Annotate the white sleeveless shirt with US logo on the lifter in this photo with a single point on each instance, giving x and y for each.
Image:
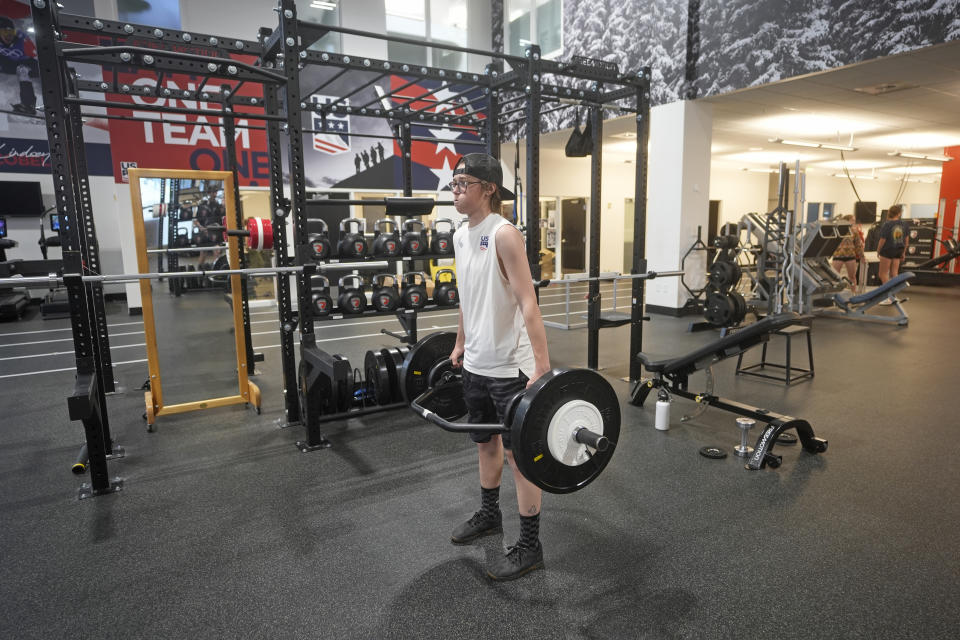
(496, 339)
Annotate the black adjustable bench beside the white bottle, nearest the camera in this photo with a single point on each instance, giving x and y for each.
(673, 376)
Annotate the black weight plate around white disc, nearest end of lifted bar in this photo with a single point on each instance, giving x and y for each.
(531, 422)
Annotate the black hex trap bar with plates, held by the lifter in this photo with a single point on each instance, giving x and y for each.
(564, 427)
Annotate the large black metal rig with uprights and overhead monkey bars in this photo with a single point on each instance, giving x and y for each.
(281, 53)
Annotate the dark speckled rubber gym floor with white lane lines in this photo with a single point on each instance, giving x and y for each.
(224, 529)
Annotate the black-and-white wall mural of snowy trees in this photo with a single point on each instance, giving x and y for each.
(746, 43)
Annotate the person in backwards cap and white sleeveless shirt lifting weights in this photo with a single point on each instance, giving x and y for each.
(502, 347)
